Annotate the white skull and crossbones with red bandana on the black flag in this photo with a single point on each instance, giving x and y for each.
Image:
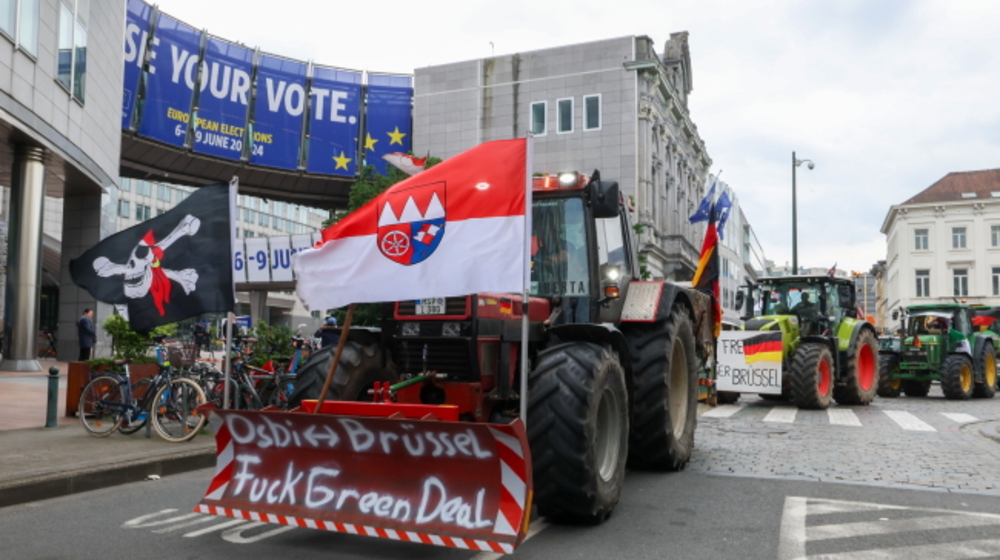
(144, 274)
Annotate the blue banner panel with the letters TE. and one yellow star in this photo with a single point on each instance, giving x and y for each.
(335, 123)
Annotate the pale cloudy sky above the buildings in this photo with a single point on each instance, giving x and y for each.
(886, 97)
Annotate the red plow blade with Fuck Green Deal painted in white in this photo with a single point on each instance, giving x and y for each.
(456, 484)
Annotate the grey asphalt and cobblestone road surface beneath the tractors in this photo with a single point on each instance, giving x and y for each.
(906, 478)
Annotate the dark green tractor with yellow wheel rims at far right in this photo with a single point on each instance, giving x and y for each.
(939, 342)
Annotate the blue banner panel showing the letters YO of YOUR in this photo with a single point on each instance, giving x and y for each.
(170, 81)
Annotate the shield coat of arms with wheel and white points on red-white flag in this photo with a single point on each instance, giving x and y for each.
(411, 223)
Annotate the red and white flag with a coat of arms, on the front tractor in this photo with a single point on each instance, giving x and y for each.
(457, 228)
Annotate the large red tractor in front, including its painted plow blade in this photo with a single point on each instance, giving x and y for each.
(614, 365)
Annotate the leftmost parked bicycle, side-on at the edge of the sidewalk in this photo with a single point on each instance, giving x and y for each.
(111, 402)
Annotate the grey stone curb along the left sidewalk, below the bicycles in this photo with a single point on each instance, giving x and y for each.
(59, 485)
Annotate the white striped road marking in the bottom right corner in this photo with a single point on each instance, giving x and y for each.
(843, 530)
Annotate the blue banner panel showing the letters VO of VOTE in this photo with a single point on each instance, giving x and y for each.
(280, 104)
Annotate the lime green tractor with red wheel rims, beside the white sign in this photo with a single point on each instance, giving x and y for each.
(827, 353)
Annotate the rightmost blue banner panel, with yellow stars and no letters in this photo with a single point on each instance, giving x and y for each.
(387, 118)
